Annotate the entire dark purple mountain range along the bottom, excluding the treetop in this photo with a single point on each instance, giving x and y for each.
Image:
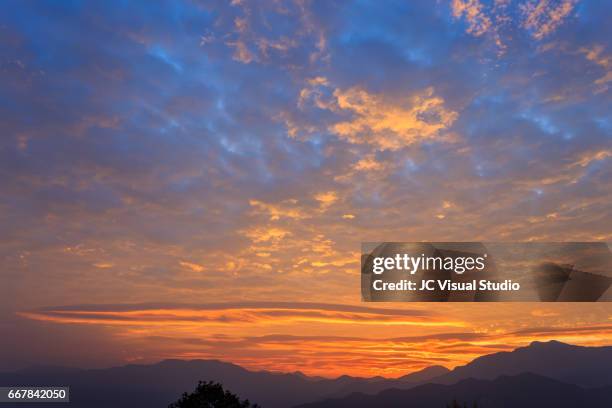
(542, 374)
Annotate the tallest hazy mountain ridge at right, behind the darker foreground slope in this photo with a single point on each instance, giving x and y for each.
(584, 366)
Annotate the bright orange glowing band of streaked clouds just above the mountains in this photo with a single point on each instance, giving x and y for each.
(327, 339)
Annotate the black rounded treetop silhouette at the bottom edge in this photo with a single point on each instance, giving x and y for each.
(211, 395)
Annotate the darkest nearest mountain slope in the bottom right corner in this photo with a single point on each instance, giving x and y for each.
(524, 391)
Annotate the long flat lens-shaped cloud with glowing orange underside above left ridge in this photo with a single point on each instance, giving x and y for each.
(248, 313)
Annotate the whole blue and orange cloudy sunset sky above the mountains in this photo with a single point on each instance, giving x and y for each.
(193, 179)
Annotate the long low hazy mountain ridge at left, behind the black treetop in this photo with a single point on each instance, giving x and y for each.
(159, 384)
